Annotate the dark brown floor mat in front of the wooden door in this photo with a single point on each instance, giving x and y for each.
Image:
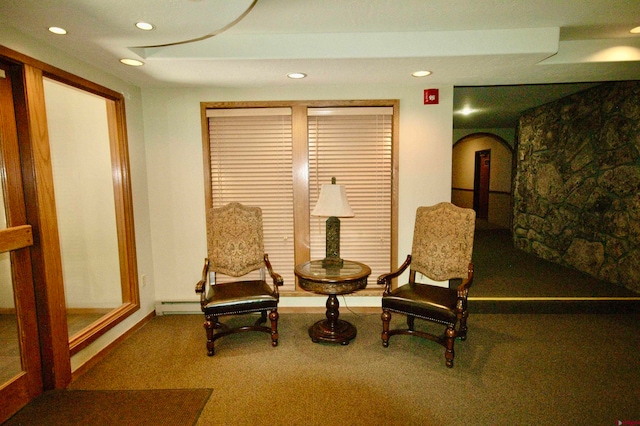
(170, 407)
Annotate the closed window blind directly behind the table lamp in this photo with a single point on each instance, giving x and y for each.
(354, 144)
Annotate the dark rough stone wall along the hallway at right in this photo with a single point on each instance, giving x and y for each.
(577, 182)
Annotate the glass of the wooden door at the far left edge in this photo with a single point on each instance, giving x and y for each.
(10, 362)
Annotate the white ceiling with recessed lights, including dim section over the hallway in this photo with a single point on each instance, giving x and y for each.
(500, 55)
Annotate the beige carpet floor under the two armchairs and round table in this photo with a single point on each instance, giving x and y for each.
(512, 370)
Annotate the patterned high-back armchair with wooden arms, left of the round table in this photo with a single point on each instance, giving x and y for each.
(235, 249)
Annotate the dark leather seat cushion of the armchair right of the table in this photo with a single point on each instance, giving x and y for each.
(426, 301)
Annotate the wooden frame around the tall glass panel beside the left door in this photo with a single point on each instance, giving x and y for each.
(37, 174)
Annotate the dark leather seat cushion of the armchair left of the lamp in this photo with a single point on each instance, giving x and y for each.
(240, 296)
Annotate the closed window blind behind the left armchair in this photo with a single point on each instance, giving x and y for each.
(251, 163)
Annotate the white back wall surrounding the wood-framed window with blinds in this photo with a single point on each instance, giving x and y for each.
(176, 178)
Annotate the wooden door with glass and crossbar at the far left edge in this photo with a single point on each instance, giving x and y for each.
(21, 376)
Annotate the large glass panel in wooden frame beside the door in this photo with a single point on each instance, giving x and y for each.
(85, 204)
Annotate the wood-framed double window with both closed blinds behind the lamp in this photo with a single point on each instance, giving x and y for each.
(278, 155)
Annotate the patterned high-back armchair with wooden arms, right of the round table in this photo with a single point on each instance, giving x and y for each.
(442, 249)
